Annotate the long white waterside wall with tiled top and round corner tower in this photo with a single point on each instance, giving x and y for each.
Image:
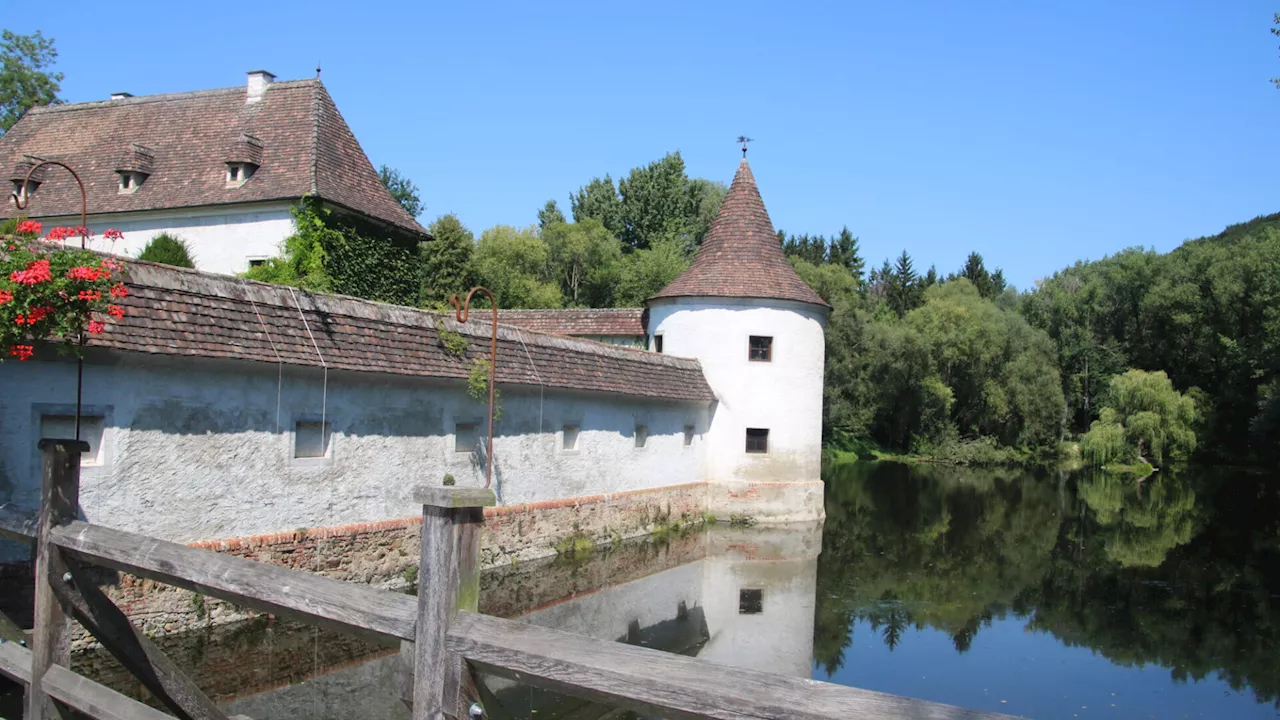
(220, 408)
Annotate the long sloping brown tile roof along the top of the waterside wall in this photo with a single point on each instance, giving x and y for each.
(189, 313)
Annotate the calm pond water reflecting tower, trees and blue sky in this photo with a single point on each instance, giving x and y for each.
(1043, 596)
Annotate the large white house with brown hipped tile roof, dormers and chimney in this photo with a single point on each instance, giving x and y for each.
(217, 168)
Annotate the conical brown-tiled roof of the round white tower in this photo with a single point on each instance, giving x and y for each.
(740, 256)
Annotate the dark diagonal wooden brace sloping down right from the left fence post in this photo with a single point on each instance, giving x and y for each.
(138, 654)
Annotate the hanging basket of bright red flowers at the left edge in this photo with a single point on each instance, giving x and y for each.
(54, 294)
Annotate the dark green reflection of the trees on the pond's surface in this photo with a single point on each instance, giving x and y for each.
(1182, 571)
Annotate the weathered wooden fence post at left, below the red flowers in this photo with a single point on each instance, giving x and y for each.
(60, 503)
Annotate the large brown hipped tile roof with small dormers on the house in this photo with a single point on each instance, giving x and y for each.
(295, 133)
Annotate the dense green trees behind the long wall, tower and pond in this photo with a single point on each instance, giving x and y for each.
(1142, 357)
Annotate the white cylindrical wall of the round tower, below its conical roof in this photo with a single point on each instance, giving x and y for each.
(784, 395)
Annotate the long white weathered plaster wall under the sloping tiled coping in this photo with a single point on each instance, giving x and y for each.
(194, 450)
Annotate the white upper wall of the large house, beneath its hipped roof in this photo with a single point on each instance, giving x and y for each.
(223, 240)
